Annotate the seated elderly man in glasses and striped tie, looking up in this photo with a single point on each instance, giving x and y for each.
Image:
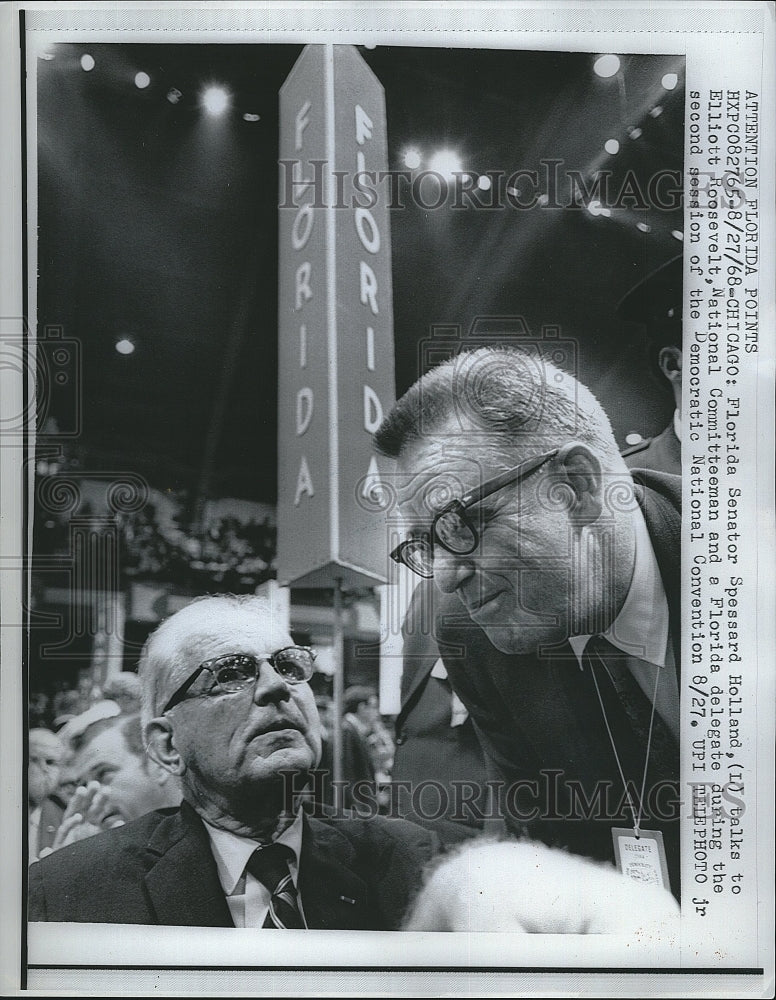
(228, 710)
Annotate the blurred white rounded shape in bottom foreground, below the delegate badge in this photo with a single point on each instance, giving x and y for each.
(526, 887)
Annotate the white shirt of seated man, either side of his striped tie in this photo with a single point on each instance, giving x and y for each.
(247, 898)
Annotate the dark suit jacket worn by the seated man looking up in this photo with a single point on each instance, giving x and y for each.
(159, 869)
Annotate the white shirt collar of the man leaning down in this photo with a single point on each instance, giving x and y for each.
(641, 628)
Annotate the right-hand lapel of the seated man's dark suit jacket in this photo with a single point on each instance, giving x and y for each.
(333, 897)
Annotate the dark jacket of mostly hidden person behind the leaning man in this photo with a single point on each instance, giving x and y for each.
(428, 748)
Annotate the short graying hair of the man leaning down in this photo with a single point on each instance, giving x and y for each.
(514, 395)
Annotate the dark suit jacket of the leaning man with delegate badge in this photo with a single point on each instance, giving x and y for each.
(538, 718)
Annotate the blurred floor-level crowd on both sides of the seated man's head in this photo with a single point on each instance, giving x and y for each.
(88, 769)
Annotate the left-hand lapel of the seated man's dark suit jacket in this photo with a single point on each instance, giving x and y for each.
(183, 885)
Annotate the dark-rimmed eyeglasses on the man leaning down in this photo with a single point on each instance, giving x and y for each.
(452, 528)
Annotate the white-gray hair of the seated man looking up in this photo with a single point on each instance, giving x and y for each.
(176, 640)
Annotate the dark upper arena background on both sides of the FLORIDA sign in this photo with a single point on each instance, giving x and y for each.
(159, 223)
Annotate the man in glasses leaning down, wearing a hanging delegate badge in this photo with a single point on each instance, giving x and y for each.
(555, 569)
